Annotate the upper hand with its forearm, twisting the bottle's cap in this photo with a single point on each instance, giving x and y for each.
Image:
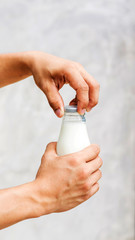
(50, 74)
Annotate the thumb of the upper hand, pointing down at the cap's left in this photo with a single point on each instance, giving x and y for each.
(54, 98)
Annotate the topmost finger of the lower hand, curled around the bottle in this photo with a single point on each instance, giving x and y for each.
(87, 154)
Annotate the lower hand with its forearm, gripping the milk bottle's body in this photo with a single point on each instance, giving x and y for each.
(76, 180)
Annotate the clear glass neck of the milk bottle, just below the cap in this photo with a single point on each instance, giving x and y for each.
(74, 117)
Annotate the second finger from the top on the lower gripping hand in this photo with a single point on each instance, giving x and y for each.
(94, 165)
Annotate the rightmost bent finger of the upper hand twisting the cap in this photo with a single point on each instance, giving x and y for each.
(93, 90)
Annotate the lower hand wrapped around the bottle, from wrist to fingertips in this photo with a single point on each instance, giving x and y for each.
(63, 182)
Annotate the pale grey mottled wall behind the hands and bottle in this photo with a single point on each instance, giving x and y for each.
(99, 34)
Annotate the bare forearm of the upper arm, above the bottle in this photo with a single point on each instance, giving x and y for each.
(13, 68)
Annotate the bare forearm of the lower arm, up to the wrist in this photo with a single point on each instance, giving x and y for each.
(17, 204)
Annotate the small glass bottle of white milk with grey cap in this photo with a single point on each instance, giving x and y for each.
(73, 134)
